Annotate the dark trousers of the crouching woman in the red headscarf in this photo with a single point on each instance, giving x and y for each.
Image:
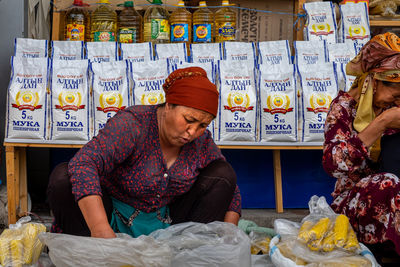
(207, 200)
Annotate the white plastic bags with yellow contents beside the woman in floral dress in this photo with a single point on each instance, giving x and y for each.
(323, 239)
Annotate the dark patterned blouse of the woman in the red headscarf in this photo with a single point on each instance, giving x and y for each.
(125, 158)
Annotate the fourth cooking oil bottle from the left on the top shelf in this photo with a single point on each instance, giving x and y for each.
(156, 25)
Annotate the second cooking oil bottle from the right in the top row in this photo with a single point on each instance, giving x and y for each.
(203, 24)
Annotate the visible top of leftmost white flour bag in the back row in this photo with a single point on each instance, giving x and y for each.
(31, 48)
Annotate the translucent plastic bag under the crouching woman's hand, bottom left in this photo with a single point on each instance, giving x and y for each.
(69, 250)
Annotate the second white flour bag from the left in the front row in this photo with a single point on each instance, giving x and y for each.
(69, 112)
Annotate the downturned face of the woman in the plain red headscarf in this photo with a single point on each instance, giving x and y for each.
(184, 124)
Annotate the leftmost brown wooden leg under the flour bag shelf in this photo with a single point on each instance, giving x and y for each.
(10, 166)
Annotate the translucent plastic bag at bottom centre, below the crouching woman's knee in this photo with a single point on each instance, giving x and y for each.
(213, 244)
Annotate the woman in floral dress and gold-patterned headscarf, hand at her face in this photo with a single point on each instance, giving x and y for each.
(354, 126)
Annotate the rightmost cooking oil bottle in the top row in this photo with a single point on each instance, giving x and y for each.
(225, 23)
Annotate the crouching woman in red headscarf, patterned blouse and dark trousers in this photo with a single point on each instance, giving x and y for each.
(149, 167)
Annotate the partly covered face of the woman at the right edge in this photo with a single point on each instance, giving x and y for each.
(386, 94)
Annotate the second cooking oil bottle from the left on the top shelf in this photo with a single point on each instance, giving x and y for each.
(104, 23)
